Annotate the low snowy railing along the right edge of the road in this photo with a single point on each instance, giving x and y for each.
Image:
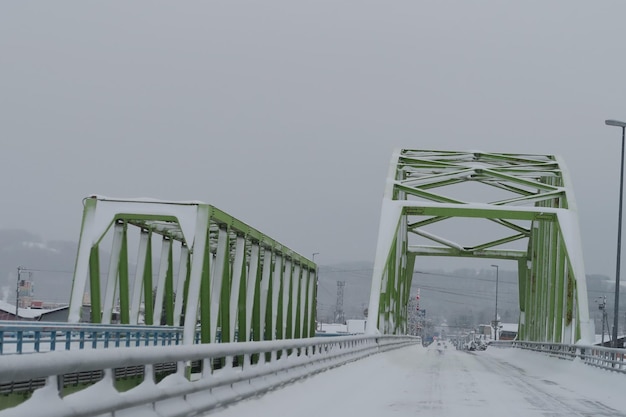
(602, 357)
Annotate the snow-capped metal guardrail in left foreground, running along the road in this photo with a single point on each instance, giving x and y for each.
(245, 369)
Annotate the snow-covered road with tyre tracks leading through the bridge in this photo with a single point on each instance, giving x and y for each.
(419, 381)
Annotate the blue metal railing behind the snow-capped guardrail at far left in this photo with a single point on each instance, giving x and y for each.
(28, 337)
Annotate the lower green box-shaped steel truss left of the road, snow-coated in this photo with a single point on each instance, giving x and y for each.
(234, 281)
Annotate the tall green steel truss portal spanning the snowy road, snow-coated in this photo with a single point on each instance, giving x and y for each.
(530, 217)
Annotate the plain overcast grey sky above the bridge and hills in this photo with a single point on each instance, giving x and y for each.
(285, 113)
